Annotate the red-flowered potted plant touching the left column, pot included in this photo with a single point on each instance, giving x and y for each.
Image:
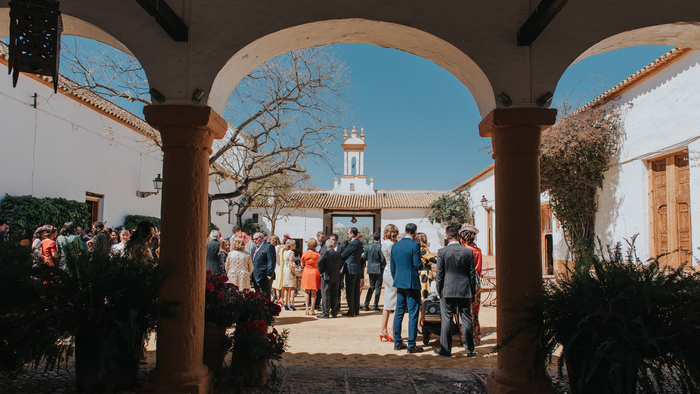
(220, 313)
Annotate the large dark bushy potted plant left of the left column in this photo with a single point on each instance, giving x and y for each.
(97, 307)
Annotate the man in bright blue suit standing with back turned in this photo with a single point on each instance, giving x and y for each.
(405, 262)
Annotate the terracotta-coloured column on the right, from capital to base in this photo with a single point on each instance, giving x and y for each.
(515, 135)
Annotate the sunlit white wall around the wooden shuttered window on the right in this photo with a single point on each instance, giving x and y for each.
(663, 118)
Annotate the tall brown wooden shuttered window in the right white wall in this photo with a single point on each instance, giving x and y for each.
(669, 209)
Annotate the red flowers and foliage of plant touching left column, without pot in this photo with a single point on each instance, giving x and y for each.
(220, 301)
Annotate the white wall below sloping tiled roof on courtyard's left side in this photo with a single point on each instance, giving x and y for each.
(64, 148)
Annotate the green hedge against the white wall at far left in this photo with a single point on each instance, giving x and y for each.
(28, 212)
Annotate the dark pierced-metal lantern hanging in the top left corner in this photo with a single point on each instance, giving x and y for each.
(35, 38)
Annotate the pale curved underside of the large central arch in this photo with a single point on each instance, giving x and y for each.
(358, 31)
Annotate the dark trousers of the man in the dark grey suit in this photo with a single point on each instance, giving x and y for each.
(448, 308)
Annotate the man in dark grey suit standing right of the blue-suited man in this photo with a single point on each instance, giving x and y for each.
(456, 284)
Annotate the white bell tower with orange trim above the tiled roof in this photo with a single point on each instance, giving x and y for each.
(354, 180)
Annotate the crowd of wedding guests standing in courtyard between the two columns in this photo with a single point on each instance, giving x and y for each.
(399, 264)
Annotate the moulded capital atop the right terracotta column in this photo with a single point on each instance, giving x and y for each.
(507, 117)
